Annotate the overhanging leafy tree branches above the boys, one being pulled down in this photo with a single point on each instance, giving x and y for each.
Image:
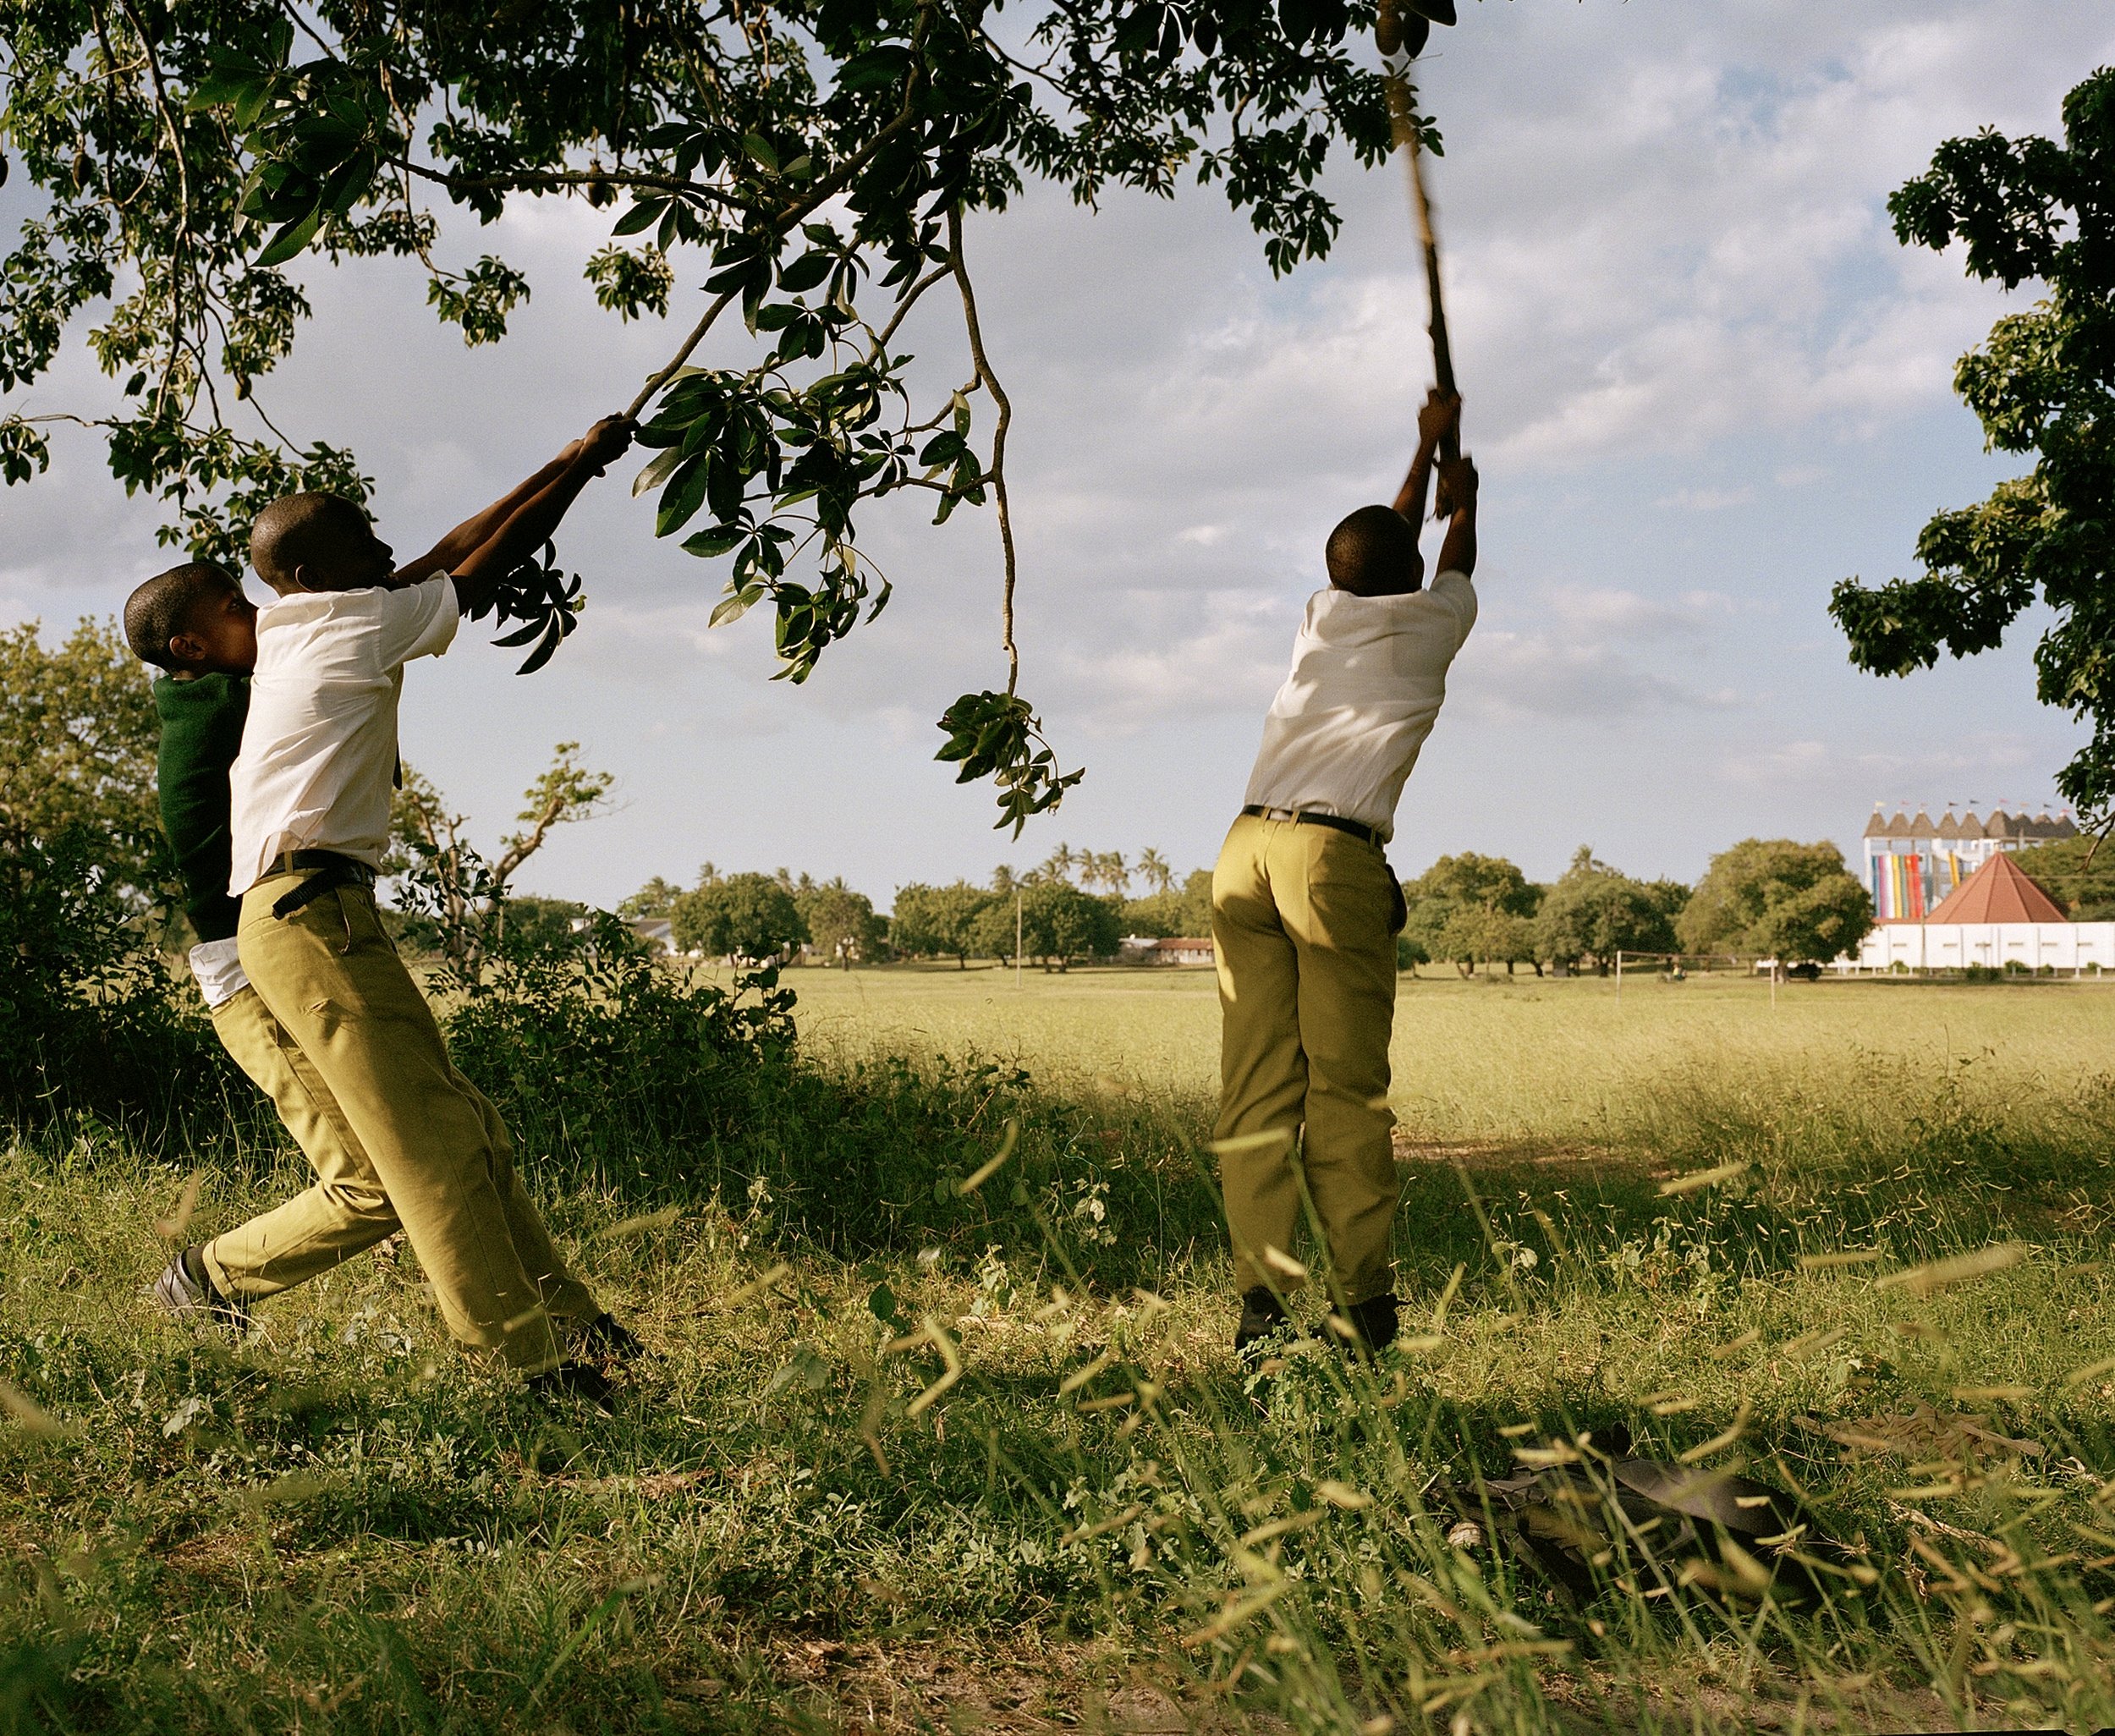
(811, 160)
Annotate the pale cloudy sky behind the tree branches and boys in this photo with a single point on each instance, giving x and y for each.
(1702, 382)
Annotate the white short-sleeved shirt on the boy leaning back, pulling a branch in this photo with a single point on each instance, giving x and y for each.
(320, 745)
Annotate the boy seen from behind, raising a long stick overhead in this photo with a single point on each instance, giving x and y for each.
(1306, 910)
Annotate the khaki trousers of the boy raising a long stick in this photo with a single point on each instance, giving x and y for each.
(1304, 929)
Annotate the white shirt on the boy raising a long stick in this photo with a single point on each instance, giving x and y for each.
(1367, 682)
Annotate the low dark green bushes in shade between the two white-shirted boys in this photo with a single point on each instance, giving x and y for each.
(627, 1077)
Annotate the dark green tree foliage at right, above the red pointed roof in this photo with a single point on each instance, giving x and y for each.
(2044, 384)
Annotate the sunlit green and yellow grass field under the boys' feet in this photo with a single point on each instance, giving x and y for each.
(798, 1519)
